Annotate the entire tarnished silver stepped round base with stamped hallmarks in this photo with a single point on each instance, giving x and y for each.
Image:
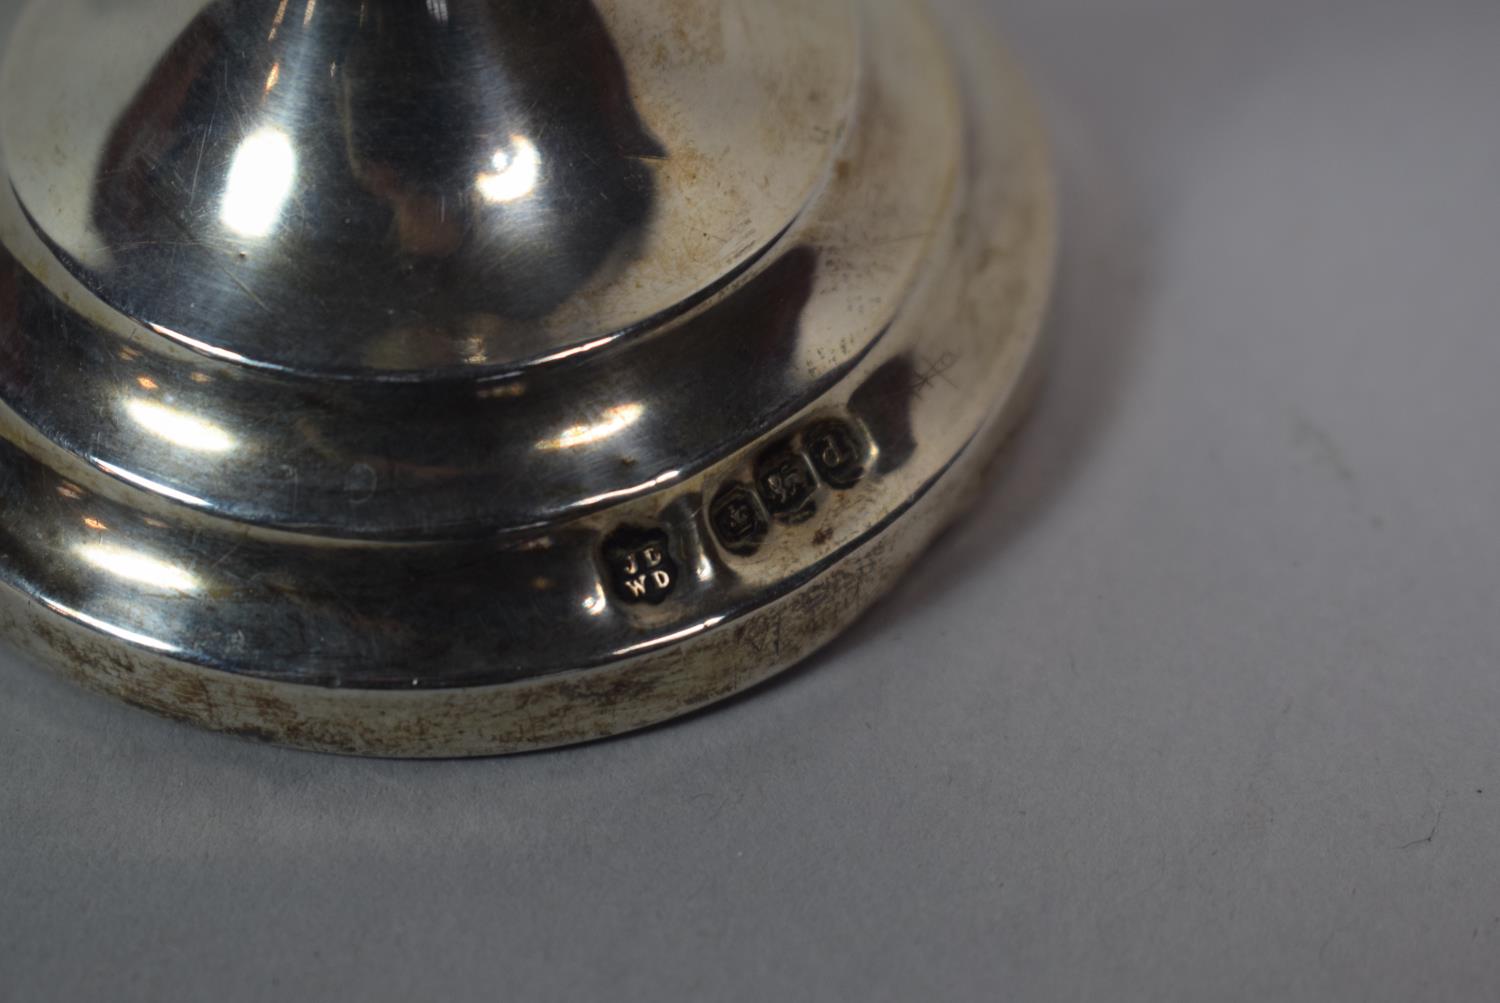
(476, 376)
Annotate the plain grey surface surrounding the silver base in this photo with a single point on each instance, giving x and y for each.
(1202, 704)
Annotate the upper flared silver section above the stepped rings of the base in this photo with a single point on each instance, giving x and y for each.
(406, 188)
